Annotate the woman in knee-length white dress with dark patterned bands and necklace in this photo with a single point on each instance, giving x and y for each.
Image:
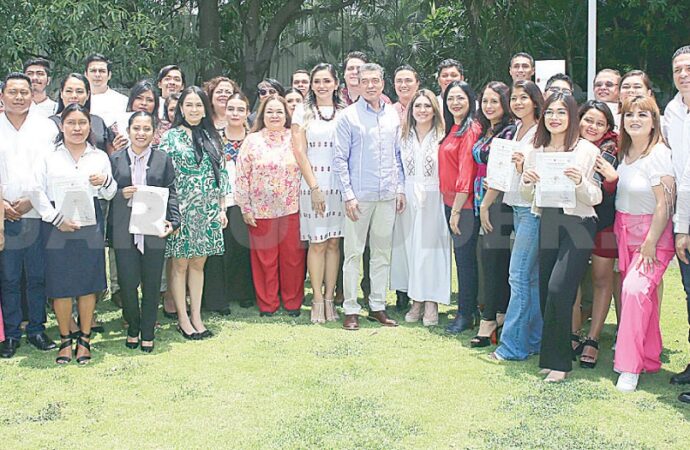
(321, 206)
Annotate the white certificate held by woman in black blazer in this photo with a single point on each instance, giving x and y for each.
(149, 208)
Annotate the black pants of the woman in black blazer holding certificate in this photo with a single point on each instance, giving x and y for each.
(133, 269)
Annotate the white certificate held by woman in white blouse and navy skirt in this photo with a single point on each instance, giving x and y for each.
(74, 199)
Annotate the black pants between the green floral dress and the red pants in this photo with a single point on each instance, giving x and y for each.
(229, 276)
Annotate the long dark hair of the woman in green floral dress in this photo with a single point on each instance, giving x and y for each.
(205, 138)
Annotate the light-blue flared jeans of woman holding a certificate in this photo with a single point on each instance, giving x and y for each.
(522, 329)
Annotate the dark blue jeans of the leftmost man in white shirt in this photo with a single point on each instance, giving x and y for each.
(23, 249)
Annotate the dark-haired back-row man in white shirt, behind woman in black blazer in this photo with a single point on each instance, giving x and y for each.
(105, 102)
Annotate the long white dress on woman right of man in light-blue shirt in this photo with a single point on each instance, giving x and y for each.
(421, 258)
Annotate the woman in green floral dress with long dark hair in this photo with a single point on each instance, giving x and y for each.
(202, 184)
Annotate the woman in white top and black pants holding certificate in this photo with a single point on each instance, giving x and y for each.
(559, 178)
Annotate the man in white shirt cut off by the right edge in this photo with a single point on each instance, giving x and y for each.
(676, 128)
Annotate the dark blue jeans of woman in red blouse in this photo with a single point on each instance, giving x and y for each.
(466, 264)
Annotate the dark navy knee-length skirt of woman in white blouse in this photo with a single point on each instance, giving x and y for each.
(75, 262)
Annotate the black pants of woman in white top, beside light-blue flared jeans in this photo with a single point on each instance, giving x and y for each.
(565, 244)
